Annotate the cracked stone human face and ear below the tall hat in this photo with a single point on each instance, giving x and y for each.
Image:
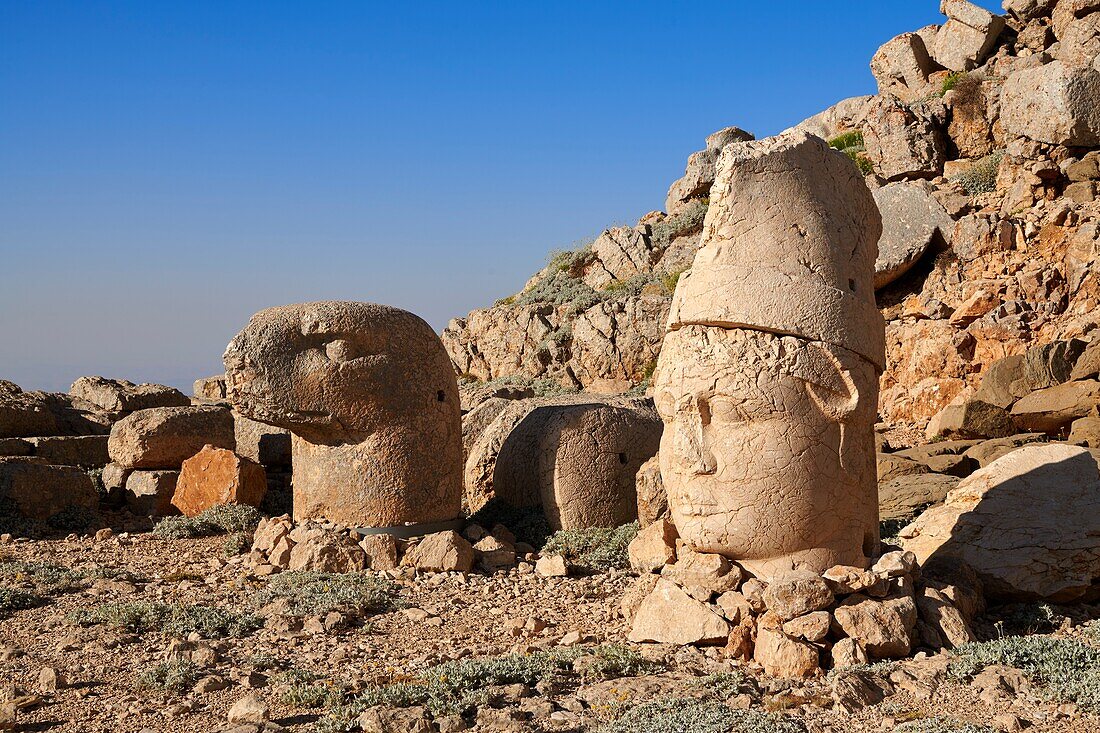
(768, 452)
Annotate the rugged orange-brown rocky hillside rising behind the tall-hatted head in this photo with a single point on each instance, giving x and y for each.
(982, 148)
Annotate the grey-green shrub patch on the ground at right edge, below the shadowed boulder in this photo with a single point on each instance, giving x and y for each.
(1066, 670)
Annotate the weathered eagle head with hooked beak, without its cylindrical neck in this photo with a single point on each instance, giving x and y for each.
(336, 373)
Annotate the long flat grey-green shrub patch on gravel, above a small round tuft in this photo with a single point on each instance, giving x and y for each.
(178, 620)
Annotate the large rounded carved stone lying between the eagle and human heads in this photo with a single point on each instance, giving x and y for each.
(577, 457)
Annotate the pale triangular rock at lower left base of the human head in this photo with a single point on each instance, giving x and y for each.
(669, 616)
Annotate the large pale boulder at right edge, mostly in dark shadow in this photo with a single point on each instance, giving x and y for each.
(1029, 524)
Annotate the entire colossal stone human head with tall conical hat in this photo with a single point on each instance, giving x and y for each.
(768, 376)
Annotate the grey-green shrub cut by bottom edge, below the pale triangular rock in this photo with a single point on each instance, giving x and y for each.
(691, 716)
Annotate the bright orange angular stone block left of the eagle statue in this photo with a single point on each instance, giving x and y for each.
(216, 476)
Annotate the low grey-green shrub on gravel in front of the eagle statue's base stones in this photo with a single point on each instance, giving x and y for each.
(314, 594)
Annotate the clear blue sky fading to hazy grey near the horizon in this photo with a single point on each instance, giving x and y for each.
(168, 169)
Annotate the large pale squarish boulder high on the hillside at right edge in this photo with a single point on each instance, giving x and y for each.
(1053, 104)
